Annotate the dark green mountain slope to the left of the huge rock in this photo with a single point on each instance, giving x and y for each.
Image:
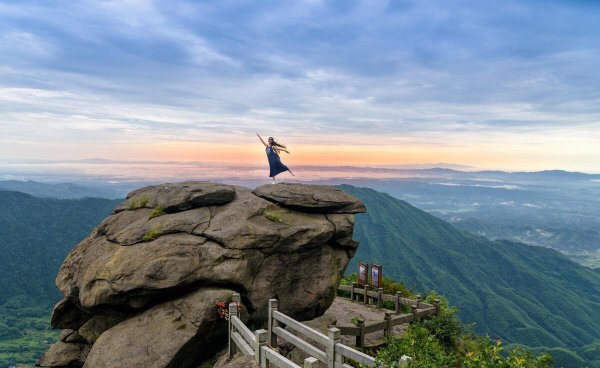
(45, 226)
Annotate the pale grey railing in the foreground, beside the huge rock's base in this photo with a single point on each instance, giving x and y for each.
(261, 344)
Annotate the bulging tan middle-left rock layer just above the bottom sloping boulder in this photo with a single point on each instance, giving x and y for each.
(133, 276)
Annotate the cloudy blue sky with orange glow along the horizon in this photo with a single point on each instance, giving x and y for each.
(507, 85)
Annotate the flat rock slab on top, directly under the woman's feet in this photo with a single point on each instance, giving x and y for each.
(310, 198)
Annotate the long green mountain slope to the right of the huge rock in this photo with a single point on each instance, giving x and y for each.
(521, 294)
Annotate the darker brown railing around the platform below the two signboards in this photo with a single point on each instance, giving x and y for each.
(419, 309)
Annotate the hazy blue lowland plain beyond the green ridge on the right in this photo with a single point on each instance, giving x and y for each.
(554, 209)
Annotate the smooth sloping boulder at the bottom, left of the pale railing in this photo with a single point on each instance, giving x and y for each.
(176, 333)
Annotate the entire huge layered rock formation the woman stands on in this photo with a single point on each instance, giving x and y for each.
(140, 290)
